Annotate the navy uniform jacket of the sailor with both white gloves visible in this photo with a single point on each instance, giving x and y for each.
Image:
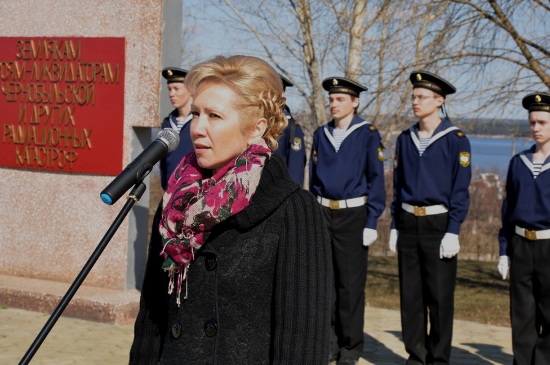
(440, 176)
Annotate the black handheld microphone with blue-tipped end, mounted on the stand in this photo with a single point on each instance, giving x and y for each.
(167, 140)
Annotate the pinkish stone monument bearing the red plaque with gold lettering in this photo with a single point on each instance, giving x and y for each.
(80, 92)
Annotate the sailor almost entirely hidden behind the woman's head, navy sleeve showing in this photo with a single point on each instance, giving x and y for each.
(291, 143)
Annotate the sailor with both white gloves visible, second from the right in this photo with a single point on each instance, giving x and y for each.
(431, 177)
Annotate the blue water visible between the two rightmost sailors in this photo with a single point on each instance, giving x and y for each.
(494, 154)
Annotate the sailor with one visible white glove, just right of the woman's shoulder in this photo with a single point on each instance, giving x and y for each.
(347, 176)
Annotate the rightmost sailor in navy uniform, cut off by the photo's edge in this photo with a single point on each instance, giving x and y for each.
(525, 239)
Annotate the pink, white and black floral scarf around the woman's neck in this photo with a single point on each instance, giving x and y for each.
(195, 202)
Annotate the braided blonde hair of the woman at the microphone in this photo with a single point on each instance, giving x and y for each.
(257, 85)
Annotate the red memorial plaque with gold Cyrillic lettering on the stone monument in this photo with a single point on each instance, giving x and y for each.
(62, 104)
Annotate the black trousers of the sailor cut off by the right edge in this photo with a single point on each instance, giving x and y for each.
(530, 300)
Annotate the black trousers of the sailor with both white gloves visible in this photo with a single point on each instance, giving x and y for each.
(426, 286)
